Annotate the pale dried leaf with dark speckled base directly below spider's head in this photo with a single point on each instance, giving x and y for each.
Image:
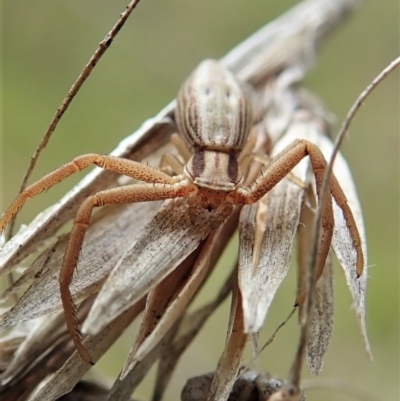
(144, 265)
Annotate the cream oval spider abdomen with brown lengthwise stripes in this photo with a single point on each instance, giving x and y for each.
(213, 110)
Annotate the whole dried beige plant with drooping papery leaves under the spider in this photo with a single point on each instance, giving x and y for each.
(152, 258)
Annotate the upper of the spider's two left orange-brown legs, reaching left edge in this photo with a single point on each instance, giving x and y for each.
(118, 165)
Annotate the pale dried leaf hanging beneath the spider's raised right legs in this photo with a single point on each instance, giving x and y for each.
(274, 220)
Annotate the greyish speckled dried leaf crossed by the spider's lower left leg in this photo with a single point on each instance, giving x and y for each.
(100, 253)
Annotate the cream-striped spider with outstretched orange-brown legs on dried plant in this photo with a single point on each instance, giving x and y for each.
(213, 115)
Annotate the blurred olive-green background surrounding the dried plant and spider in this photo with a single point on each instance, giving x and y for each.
(45, 46)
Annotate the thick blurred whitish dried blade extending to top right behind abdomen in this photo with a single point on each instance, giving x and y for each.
(289, 39)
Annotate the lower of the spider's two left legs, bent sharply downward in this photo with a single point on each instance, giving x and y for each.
(127, 194)
